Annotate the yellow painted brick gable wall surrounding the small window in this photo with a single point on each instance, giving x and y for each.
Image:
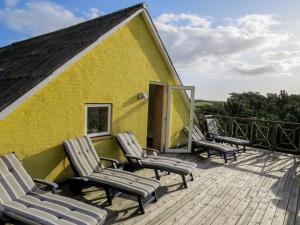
(113, 72)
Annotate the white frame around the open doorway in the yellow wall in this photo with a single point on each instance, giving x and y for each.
(162, 138)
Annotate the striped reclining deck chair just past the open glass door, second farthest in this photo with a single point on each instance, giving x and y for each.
(199, 141)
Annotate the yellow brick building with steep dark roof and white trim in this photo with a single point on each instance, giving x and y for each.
(100, 77)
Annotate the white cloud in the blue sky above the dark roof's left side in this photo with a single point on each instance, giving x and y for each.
(38, 17)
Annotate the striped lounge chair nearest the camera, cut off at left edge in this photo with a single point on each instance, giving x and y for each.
(24, 203)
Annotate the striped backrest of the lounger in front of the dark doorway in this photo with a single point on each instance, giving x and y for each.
(129, 144)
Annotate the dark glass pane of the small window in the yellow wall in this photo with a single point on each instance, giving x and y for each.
(97, 120)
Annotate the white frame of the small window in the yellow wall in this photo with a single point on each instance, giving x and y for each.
(98, 105)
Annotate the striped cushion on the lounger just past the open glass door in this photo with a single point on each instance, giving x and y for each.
(199, 140)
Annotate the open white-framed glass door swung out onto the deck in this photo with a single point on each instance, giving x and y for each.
(185, 143)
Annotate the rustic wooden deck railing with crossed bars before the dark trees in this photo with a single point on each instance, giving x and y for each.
(267, 134)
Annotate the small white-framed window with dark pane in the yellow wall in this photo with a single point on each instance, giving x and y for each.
(98, 119)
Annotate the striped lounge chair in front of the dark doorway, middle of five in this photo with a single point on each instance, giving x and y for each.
(136, 156)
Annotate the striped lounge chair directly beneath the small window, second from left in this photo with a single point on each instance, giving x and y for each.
(88, 168)
